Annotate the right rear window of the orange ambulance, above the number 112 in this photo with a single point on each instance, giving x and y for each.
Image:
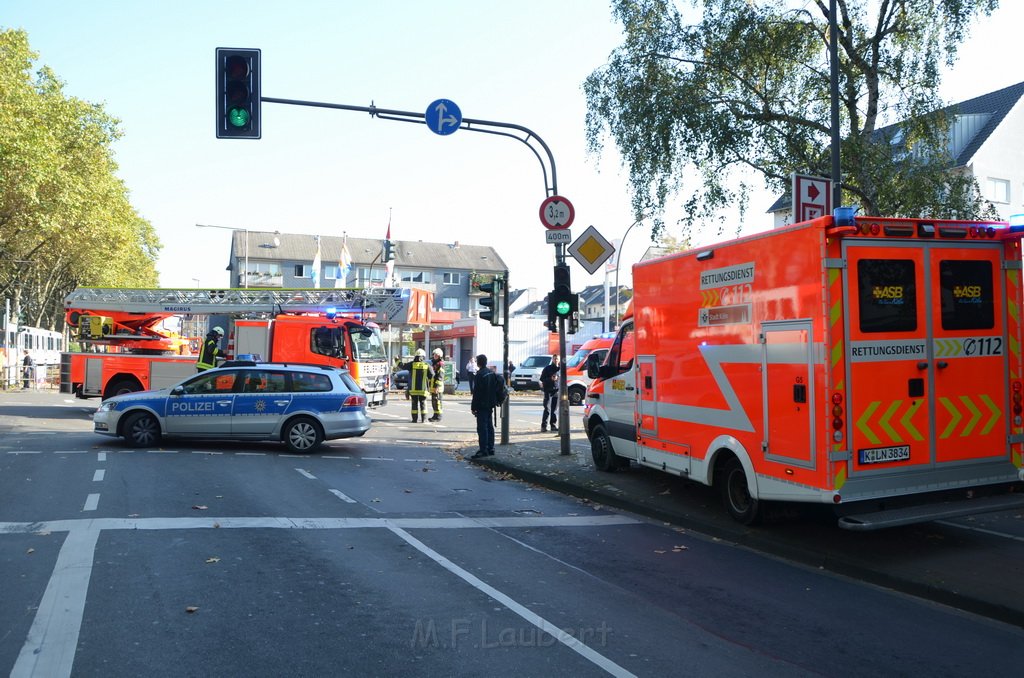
(967, 295)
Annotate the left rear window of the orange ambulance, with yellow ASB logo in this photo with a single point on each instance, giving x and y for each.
(888, 295)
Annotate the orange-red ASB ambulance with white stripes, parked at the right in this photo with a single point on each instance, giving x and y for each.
(869, 364)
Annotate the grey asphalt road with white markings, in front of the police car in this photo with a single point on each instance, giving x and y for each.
(393, 556)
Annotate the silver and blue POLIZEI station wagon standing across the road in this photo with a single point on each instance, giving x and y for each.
(300, 405)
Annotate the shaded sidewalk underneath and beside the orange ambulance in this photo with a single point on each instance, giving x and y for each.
(938, 563)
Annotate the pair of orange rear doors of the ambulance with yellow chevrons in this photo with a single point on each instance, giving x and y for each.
(927, 349)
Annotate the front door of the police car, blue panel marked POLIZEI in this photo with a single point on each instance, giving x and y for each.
(204, 407)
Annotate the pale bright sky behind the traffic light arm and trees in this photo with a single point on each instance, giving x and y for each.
(330, 173)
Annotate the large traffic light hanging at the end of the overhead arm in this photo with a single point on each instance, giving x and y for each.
(238, 94)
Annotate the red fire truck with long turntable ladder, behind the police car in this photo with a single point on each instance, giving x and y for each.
(130, 347)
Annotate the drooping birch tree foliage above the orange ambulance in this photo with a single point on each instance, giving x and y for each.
(746, 87)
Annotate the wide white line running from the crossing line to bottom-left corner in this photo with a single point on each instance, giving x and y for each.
(50, 648)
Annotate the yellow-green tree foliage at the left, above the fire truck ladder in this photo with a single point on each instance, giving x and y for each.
(65, 217)
